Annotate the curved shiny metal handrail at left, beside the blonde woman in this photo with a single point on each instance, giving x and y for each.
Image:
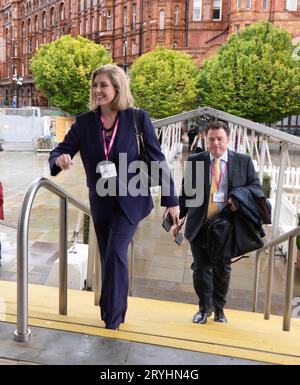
(22, 333)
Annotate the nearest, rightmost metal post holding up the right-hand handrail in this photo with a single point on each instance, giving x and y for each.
(289, 285)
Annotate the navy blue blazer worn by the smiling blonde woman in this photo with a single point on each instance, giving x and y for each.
(85, 136)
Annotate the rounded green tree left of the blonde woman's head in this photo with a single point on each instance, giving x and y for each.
(62, 71)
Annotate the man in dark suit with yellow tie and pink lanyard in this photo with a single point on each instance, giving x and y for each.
(224, 170)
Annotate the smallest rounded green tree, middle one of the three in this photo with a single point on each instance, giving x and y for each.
(164, 82)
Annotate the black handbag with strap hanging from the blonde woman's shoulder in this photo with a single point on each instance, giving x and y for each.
(142, 150)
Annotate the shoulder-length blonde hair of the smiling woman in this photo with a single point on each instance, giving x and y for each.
(119, 80)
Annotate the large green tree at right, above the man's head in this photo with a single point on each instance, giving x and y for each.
(253, 75)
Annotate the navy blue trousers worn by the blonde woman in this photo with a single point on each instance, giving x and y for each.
(114, 236)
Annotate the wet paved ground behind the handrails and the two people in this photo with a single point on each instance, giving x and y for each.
(162, 269)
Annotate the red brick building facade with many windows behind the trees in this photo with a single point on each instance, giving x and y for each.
(127, 29)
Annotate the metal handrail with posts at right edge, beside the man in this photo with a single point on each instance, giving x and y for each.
(289, 236)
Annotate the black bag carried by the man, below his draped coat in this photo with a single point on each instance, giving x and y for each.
(230, 235)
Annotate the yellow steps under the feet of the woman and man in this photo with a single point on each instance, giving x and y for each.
(247, 335)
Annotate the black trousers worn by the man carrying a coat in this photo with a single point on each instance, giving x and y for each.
(211, 282)
